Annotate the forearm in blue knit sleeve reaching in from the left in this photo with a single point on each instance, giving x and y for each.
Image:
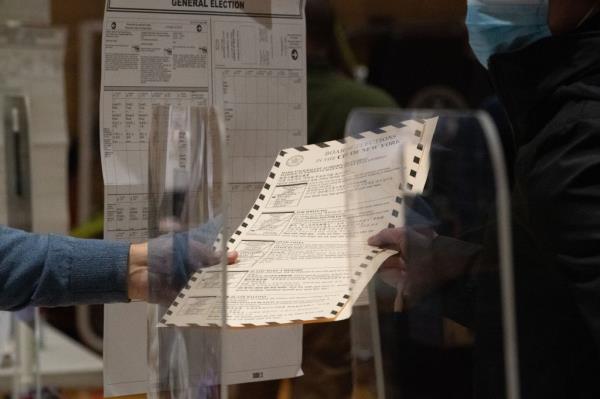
(48, 270)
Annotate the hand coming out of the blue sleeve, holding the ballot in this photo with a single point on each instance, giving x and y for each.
(139, 269)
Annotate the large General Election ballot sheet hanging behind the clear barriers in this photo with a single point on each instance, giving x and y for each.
(245, 57)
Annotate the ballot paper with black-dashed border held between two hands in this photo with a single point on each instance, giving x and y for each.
(303, 246)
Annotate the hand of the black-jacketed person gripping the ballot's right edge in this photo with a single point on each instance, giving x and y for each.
(412, 273)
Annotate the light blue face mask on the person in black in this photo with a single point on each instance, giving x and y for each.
(497, 26)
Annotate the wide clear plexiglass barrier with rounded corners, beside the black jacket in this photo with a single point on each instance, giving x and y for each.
(437, 320)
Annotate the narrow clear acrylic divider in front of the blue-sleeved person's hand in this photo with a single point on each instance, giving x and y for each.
(187, 225)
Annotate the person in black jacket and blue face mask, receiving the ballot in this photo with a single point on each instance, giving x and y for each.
(545, 66)
